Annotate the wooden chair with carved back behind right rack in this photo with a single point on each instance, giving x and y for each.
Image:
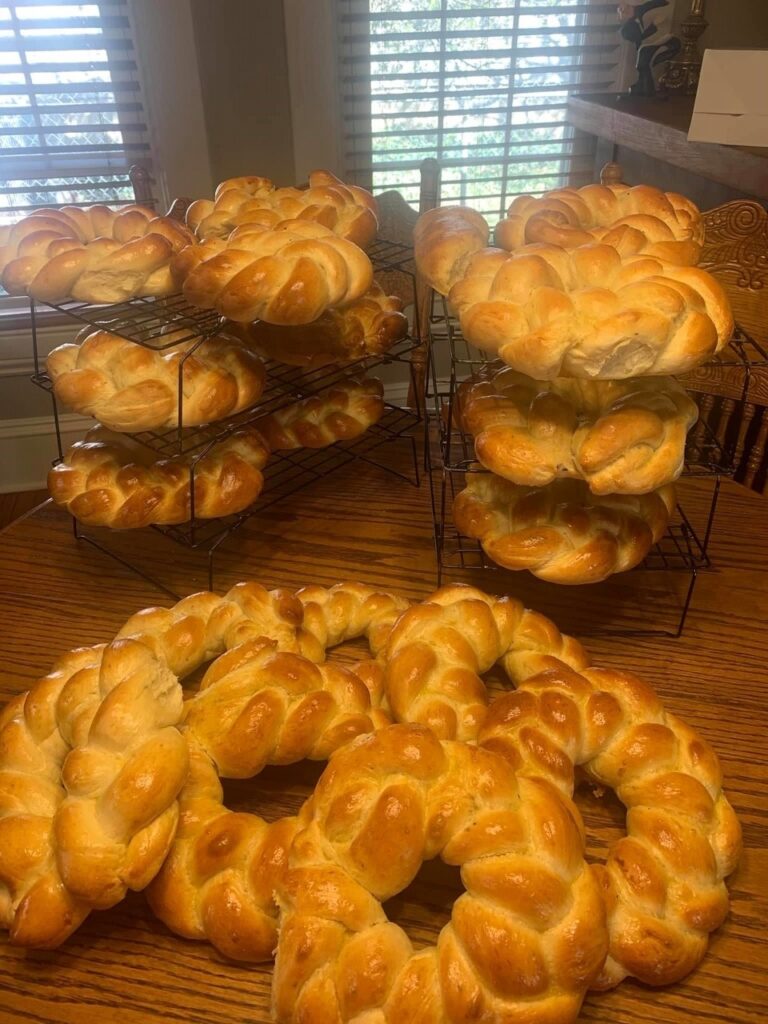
(733, 390)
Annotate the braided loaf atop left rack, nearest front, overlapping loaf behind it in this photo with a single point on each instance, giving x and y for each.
(288, 275)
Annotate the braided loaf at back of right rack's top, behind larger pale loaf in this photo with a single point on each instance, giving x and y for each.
(635, 221)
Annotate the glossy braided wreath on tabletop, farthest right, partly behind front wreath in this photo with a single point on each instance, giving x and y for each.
(663, 883)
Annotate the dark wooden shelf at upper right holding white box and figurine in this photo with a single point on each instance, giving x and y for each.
(659, 129)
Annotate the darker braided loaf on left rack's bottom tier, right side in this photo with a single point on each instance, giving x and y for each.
(339, 414)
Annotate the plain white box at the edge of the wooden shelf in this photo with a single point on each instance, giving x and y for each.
(732, 102)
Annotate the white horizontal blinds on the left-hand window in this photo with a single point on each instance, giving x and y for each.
(71, 114)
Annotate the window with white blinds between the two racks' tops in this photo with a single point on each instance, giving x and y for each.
(482, 86)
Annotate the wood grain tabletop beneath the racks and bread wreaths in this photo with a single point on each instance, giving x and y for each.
(122, 966)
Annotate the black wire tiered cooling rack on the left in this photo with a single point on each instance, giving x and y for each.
(149, 322)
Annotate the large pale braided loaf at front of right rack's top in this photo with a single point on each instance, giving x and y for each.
(590, 313)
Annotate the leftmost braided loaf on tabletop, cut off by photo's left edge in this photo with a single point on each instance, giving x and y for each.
(91, 767)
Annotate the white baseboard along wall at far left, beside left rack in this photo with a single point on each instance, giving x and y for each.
(28, 448)
